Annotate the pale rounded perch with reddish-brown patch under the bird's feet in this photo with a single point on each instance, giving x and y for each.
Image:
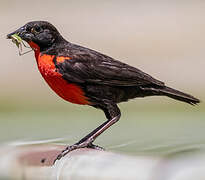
(33, 162)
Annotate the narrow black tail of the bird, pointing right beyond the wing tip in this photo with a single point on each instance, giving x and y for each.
(178, 95)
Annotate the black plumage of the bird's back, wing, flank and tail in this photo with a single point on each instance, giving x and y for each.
(104, 78)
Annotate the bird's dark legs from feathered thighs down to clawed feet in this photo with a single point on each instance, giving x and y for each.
(112, 113)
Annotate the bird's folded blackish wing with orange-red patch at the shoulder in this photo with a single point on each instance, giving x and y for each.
(88, 66)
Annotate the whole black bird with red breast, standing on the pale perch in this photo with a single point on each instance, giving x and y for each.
(86, 77)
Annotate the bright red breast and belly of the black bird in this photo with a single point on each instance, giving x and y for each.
(68, 91)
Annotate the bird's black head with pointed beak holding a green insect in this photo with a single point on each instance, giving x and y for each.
(37, 33)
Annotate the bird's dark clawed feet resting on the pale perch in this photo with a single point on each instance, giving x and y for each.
(76, 146)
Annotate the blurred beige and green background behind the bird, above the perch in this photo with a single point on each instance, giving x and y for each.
(163, 38)
